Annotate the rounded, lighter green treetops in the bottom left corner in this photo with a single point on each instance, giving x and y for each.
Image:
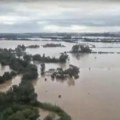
(19, 112)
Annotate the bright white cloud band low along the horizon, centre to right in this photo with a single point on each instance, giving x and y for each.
(77, 28)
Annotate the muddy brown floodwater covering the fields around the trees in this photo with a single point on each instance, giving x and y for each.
(94, 96)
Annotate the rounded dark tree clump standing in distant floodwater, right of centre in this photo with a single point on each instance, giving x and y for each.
(81, 49)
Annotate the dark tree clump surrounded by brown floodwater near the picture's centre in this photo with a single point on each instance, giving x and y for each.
(72, 71)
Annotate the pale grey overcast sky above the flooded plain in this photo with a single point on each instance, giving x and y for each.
(64, 16)
